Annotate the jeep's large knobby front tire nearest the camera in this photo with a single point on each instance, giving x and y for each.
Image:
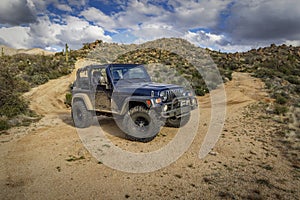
(141, 124)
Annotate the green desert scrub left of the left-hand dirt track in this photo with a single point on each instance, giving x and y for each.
(19, 73)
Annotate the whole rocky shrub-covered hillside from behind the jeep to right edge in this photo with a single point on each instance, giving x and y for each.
(181, 62)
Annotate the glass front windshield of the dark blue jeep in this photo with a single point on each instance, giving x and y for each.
(130, 73)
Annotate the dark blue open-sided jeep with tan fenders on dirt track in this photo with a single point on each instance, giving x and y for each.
(126, 92)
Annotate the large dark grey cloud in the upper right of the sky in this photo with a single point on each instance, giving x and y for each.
(264, 21)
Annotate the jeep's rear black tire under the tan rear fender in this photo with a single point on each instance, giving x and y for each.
(82, 118)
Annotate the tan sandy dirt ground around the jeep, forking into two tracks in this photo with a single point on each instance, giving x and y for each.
(47, 160)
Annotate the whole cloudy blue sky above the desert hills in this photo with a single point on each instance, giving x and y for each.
(225, 25)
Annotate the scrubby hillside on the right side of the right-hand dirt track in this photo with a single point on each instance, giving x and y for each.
(279, 68)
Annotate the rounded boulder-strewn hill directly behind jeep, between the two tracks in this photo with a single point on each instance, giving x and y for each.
(179, 56)
